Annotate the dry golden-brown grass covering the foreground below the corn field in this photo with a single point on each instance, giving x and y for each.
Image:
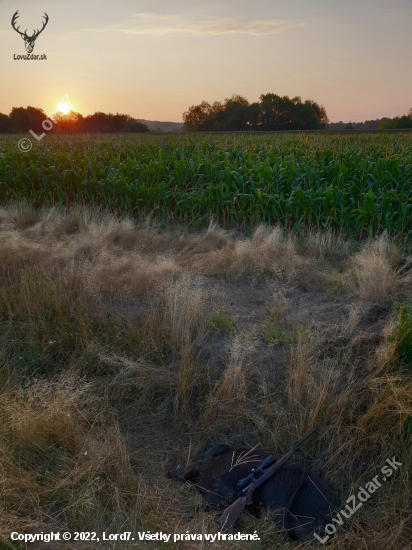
(101, 324)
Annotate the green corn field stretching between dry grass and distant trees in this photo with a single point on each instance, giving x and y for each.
(348, 182)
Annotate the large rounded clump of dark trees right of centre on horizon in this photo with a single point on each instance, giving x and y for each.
(271, 112)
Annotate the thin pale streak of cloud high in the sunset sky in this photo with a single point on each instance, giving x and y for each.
(151, 23)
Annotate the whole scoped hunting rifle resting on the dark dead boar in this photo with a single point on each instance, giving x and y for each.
(247, 485)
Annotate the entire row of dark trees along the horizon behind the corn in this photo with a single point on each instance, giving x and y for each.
(272, 112)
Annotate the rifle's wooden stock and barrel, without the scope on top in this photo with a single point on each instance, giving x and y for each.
(233, 512)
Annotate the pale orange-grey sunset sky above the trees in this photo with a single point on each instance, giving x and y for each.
(153, 59)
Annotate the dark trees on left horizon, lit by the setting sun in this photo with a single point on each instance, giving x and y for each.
(23, 119)
